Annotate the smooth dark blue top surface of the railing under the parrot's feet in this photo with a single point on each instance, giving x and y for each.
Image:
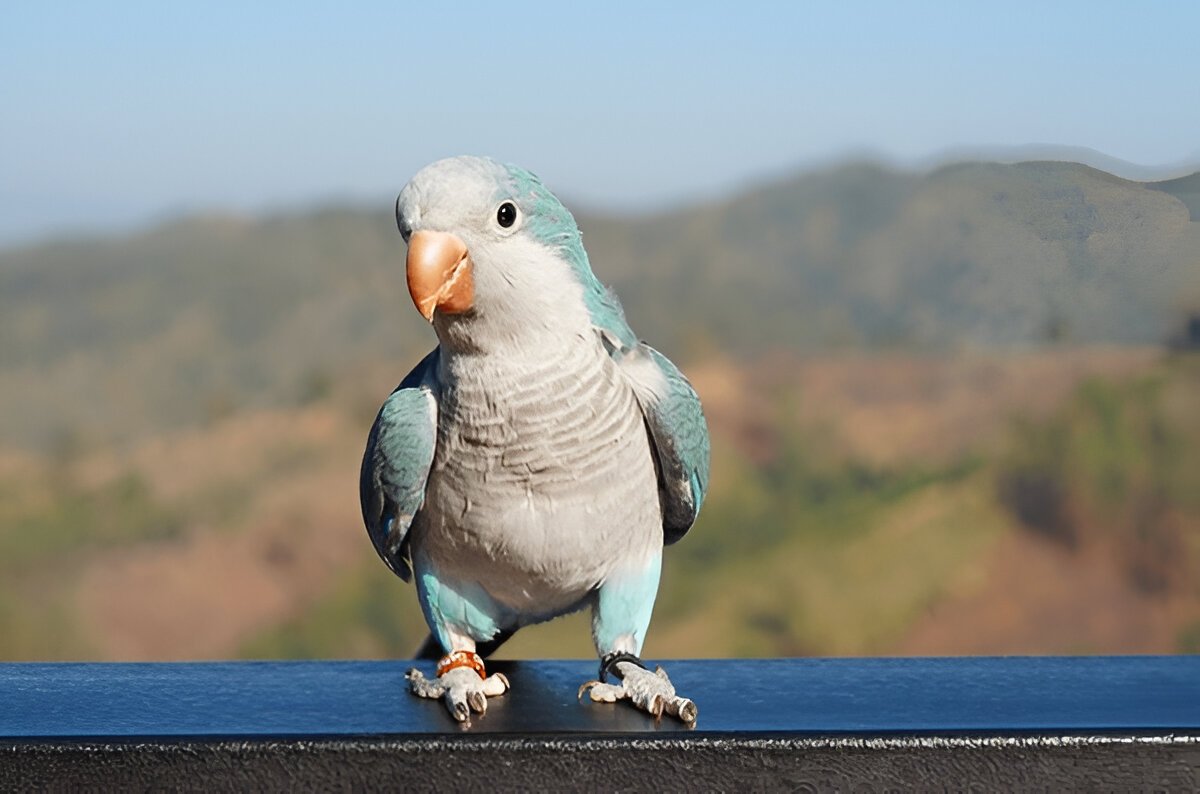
(836, 696)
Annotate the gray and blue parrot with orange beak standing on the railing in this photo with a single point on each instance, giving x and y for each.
(541, 458)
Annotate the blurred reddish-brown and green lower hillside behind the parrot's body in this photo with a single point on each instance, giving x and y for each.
(861, 504)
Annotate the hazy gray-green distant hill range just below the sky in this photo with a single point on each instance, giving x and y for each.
(187, 323)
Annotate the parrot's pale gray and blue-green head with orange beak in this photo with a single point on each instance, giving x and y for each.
(491, 251)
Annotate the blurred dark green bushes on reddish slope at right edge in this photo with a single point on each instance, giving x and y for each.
(1119, 465)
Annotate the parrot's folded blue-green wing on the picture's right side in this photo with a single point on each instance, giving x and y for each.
(679, 435)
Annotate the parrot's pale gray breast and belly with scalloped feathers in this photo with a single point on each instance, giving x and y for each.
(543, 479)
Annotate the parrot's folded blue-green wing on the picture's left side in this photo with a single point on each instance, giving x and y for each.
(397, 464)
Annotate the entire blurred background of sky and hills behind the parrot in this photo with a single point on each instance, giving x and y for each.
(933, 268)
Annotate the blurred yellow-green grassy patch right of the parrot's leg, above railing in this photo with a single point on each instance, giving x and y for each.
(859, 588)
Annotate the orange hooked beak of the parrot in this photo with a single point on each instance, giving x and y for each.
(440, 274)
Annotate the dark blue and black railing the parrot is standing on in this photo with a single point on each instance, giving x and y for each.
(862, 725)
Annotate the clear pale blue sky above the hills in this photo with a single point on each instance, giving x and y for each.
(121, 115)
